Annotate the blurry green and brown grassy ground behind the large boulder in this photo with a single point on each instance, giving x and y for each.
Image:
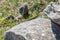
(11, 7)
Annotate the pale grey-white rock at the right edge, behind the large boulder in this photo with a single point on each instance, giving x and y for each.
(53, 12)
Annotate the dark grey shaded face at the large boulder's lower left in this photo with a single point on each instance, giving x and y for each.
(13, 36)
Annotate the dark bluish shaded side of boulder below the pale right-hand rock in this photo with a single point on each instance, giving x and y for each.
(56, 30)
